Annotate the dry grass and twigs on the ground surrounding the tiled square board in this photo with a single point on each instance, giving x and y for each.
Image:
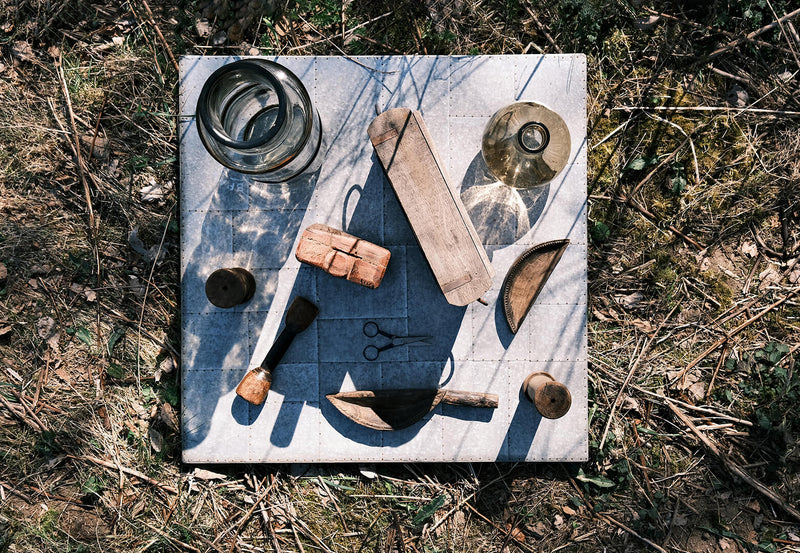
(693, 255)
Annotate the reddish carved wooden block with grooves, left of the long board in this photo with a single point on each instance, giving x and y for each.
(343, 255)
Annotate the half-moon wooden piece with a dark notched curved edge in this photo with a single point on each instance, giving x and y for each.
(526, 278)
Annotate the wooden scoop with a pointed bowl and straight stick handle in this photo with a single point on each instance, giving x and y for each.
(396, 409)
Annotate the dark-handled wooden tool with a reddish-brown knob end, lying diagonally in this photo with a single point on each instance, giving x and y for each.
(255, 385)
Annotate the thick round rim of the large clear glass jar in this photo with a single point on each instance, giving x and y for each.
(205, 114)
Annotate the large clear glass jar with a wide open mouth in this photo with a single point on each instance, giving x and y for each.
(255, 116)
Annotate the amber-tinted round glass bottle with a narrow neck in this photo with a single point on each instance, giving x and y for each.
(526, 144)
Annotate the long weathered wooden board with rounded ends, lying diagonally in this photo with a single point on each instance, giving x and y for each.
(438, 218)
